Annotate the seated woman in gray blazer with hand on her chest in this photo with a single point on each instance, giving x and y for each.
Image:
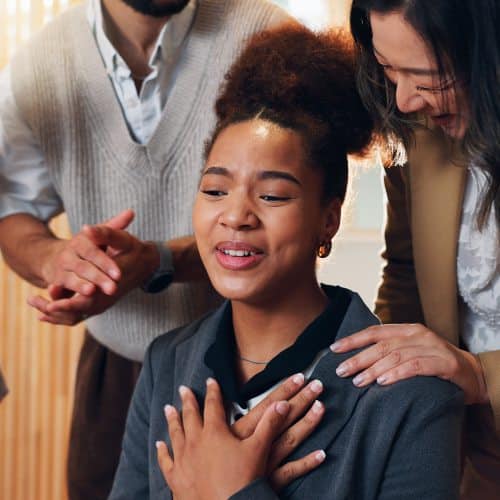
(269, 202)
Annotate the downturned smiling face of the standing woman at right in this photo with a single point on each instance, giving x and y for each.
(408, 63)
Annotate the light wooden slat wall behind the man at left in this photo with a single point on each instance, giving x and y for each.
(38, 360)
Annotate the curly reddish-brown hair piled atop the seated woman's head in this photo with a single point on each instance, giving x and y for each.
(303, 81)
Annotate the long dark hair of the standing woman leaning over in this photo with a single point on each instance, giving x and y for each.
(464, 36)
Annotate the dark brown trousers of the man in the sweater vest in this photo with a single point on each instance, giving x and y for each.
(104, 385)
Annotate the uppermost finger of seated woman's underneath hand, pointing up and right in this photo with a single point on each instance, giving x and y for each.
(245, 426)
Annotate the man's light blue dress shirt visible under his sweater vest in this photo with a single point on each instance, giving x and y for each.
(25, 186)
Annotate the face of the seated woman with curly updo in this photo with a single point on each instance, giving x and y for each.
(258, 216)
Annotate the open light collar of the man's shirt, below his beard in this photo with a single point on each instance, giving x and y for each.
(169, 40)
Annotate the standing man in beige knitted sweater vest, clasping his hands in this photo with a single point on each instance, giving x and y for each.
(107, 108)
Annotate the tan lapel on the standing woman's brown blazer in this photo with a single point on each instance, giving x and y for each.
(437, 186)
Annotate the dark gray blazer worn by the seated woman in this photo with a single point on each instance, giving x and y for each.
(396, 442)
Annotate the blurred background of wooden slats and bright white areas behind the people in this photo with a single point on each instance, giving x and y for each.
(39, 360)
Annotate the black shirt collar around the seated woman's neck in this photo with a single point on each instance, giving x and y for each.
(318, 335)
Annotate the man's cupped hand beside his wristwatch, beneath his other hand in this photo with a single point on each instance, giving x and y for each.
(135, 260)
